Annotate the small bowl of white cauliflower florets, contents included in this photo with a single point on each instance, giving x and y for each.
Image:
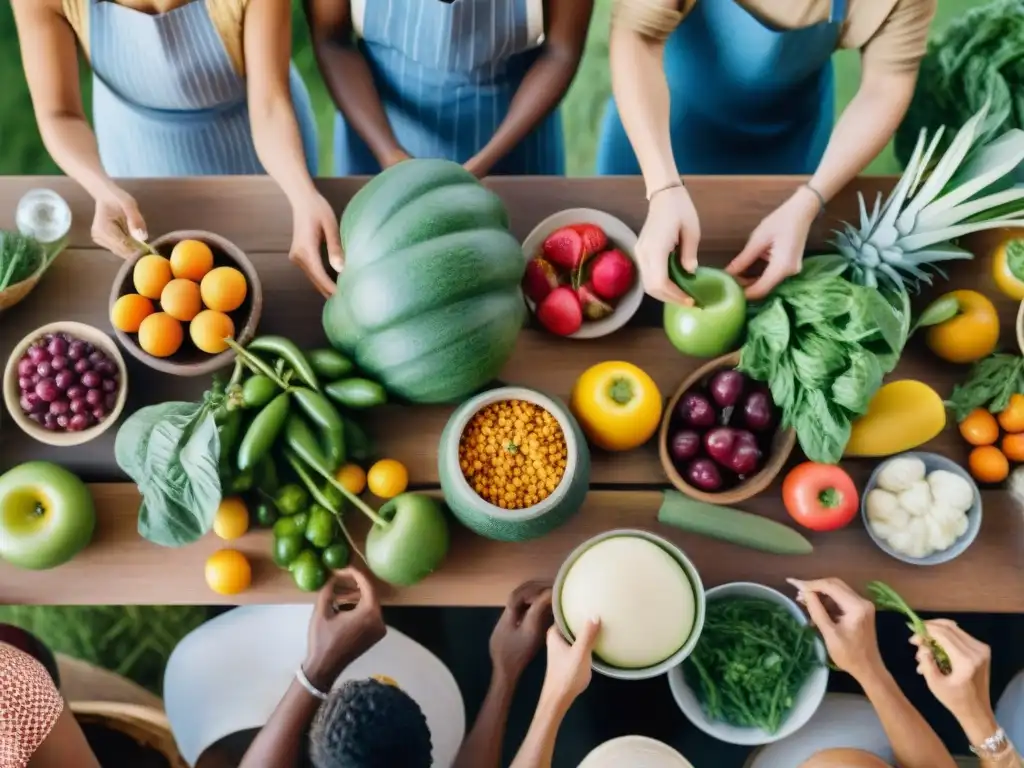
(922, 508)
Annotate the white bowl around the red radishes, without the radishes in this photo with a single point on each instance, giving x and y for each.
(620, 236)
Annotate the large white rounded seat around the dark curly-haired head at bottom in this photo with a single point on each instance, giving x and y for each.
(230, 674)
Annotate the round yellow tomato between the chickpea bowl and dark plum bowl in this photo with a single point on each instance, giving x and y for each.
(618, 406)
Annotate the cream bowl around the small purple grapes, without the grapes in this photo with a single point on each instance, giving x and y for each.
(12, 395)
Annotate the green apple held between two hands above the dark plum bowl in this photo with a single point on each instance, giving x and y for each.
(715, 323)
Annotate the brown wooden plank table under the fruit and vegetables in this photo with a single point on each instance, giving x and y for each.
(121, 568)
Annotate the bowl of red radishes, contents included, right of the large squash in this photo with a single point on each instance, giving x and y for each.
(581, 279)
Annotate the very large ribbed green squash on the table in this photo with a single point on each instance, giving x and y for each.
(430, 302)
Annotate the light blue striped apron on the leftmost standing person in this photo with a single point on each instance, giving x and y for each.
(167, 101)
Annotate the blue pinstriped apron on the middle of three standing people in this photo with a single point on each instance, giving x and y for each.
(446, 75)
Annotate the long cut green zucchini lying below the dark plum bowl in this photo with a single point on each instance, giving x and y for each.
(732, 526)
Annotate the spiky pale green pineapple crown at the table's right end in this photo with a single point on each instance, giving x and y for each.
(970, 189)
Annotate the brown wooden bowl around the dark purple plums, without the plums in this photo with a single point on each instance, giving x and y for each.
(783, 445)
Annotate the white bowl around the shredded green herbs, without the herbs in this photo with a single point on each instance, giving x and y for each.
(807, 702)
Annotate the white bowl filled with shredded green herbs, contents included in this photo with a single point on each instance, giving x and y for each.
(759, 671)
